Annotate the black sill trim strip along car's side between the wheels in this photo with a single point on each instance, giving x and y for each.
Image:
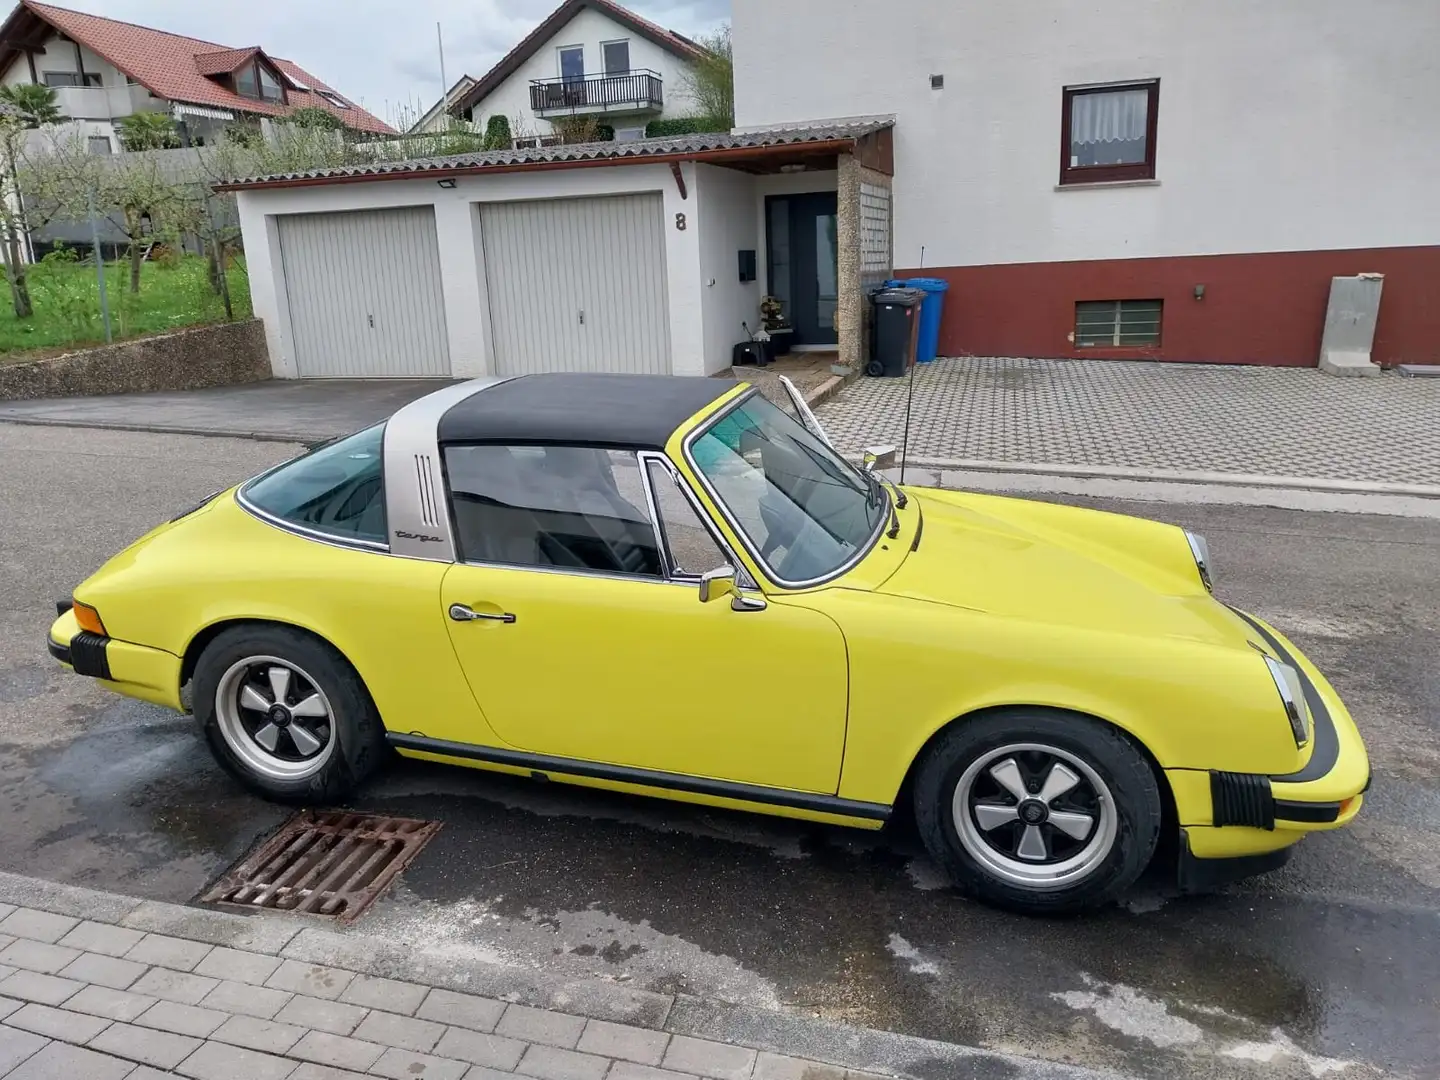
(669, 781)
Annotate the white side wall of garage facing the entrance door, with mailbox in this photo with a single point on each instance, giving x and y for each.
(726, 222)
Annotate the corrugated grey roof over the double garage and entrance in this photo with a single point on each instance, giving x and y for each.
(721, 148)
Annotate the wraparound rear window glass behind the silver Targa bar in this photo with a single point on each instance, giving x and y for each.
(338, 490)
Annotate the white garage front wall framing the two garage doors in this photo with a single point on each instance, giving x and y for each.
(457, 221)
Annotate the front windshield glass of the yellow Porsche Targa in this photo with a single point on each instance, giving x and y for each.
(803, 509)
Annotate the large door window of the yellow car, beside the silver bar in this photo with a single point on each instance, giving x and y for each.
(565, 508)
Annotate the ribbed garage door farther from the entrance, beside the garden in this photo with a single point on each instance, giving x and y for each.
(365, 293)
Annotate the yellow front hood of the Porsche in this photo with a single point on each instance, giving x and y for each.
(1061, 565)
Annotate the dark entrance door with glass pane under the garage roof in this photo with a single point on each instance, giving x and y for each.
(804, 260)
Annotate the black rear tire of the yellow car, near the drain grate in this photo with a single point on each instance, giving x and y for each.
(354, 726)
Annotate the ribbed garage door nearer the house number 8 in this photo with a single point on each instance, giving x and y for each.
(578, 284)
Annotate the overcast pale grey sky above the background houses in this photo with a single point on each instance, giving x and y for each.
(381, 53)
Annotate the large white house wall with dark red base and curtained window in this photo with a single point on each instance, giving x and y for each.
(1137, 179)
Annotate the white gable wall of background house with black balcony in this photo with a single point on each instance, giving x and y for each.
(590, 30)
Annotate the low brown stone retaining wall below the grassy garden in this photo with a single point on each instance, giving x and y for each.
(218, 355)
